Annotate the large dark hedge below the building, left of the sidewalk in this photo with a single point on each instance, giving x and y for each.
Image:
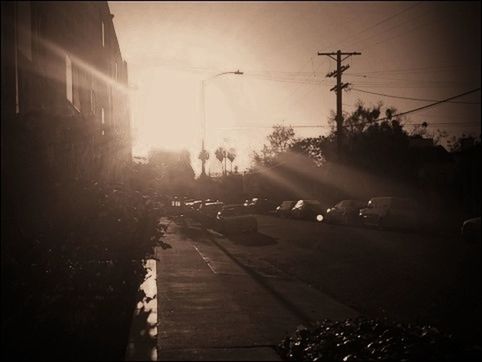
(73, 276)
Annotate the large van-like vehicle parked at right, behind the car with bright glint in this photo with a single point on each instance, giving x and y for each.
(392, 212)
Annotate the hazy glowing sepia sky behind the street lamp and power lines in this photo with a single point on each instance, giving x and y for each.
(426, 50)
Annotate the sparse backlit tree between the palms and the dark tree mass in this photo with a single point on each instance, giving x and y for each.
(280, 140)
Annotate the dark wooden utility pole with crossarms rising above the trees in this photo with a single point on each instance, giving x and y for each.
(338, 88)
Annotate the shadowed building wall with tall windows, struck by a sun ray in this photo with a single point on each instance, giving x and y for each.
(64, 89)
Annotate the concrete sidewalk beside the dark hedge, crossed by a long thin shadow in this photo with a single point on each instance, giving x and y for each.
(213, 307)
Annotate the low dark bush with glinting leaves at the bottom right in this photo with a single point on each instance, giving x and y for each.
(365, 339)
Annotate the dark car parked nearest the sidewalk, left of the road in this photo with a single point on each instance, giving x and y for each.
(235, 219)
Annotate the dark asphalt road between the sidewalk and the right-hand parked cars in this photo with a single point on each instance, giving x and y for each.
(400, 275)
